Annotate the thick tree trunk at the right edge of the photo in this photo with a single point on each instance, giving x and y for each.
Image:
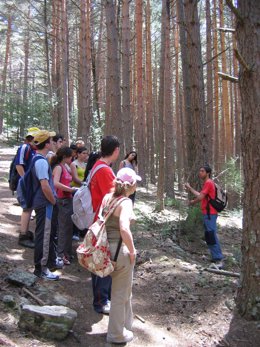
(248, 36)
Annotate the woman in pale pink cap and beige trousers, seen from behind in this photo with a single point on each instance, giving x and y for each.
(118, 226)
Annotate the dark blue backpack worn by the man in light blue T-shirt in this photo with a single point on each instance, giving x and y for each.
(25, 191)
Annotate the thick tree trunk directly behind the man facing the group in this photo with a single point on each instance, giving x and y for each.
(197, 153)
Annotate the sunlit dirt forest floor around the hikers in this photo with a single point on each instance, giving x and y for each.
(176, 302)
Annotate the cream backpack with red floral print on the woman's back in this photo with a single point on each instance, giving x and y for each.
(93, 253)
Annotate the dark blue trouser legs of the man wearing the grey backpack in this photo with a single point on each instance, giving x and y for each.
(101, 291)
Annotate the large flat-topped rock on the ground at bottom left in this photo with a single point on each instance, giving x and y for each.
(52, 322)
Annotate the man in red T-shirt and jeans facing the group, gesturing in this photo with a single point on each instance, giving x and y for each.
(209, 213)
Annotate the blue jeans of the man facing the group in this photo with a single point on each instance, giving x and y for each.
(210, 226)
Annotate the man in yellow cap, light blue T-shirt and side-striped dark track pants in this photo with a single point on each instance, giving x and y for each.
(44, 198)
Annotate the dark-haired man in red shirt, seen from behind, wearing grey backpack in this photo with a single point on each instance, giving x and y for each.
(101, 184)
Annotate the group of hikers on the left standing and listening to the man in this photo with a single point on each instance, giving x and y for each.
(57, 174)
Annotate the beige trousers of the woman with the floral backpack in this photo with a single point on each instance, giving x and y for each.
(121, 314)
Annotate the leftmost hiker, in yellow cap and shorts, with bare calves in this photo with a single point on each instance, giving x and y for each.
(23, 159)
